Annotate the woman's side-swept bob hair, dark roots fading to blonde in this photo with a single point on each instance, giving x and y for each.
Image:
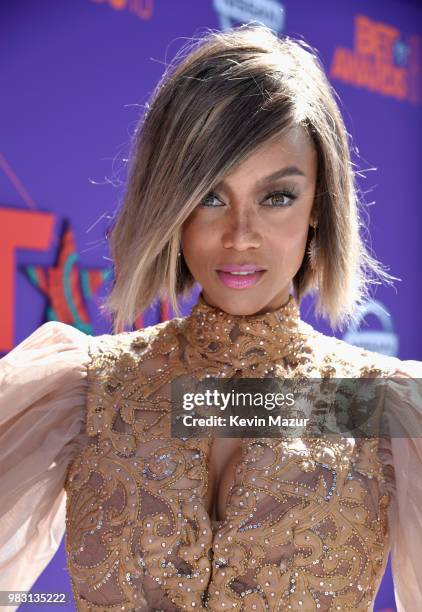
(224, 95)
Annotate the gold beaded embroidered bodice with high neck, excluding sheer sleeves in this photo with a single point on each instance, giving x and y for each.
(306, 520)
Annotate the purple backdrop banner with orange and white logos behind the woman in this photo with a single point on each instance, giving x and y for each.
(75, 76)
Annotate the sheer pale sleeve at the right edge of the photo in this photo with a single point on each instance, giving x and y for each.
(402, 457)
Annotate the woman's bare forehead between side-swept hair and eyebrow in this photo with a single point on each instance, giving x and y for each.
(292, 148)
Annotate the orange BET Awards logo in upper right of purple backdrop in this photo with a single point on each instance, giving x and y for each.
(382, 61)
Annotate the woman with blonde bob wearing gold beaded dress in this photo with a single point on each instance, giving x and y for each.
(241, 181)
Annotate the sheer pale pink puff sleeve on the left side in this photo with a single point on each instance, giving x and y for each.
(42, 399)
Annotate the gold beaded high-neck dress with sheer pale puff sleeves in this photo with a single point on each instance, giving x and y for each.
(86, 449)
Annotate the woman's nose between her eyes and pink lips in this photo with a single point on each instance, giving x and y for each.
(241, 231)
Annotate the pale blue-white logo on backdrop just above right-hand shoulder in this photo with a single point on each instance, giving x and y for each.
(383, 340)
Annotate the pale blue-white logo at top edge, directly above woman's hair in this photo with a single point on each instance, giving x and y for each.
(268, 12)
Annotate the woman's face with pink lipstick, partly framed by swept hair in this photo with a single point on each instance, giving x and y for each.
(257, 218)
